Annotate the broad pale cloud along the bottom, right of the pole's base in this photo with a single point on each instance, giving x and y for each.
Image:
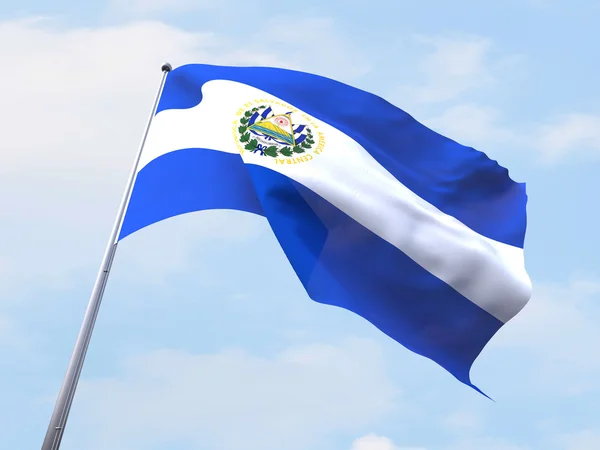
(234, 400)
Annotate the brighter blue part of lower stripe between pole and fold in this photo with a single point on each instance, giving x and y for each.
(186, 181)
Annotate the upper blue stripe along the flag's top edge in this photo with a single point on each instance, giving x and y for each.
(458, 180)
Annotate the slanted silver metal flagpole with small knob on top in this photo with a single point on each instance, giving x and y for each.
(64, 401)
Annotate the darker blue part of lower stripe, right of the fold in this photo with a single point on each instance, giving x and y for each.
(341, 263)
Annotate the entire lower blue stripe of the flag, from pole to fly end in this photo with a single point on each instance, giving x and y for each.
(338, 261)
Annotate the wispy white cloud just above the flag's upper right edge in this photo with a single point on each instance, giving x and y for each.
(457, 67)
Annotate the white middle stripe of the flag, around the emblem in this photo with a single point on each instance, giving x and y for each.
(489, 273)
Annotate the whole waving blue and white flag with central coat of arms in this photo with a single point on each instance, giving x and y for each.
(377, 214)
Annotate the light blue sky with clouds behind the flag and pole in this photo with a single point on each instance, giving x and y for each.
(192, 350)
